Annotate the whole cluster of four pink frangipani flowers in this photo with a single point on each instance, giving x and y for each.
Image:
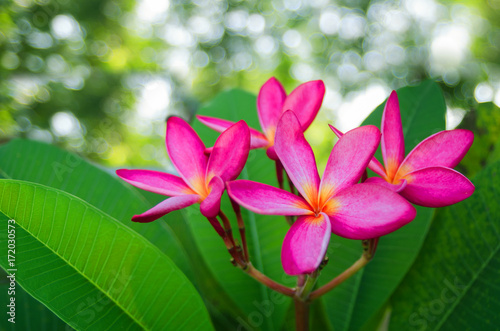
(335, 203)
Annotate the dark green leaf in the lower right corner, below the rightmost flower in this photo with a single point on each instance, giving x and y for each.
(453, 284)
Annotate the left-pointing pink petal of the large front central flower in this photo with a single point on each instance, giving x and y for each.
(266, 199)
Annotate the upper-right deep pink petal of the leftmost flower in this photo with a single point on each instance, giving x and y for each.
(230, 153)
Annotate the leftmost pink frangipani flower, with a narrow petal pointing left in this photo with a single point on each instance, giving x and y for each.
(202, 178)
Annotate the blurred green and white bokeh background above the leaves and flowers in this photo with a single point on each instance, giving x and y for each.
(100, 77)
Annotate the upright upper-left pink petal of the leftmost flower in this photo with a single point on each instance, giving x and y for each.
(187, 152)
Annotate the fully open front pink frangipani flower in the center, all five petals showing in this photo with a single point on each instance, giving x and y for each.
(334, 203)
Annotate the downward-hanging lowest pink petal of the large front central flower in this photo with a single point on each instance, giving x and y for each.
(305, 244)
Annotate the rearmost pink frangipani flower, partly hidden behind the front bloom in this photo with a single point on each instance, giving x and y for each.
(272, 101)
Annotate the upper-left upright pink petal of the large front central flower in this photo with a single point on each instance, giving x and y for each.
(297, 157)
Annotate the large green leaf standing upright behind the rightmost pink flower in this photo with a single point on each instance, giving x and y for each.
(358, 300)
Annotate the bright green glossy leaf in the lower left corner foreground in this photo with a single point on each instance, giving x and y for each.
(90, 269)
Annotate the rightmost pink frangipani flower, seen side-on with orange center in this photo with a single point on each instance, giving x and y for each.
(425, 177)
